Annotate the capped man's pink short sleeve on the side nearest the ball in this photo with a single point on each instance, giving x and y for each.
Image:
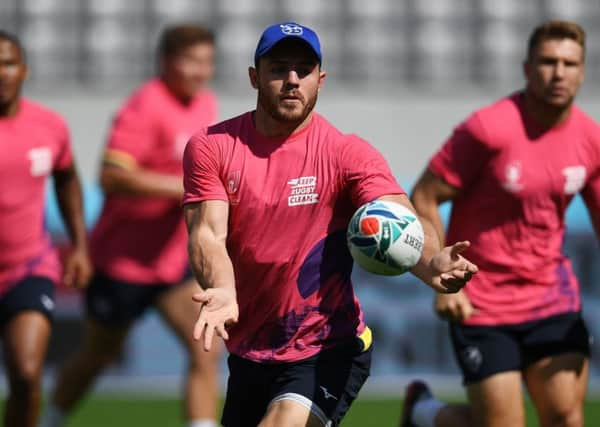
(365, 172)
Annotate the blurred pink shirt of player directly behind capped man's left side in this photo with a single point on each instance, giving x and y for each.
(143, 240)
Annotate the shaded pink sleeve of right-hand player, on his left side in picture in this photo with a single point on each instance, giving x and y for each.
(461, 158)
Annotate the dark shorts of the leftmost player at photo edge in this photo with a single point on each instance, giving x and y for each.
(31, 293)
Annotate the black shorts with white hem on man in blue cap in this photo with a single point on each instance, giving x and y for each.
(327, 384)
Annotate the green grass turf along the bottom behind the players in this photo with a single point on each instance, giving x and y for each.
(147, 412)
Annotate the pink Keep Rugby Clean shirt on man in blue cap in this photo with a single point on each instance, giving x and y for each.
(290, 201)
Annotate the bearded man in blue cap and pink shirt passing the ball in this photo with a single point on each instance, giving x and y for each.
(268, 197)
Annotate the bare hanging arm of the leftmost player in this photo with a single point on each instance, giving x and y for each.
(78, 267)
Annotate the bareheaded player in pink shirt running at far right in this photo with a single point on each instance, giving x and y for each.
(511, 169)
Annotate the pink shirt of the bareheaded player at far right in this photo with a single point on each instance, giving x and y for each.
(517, 181)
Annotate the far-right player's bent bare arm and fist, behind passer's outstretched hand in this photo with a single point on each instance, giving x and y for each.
(429, 192)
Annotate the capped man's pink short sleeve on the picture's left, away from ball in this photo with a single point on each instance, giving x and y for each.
(201, 170)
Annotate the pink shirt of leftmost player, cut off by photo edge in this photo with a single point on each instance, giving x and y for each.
(33, 143)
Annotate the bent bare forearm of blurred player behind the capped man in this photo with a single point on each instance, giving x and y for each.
(136, 181)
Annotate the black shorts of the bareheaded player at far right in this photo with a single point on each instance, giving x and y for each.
(482, 351)
